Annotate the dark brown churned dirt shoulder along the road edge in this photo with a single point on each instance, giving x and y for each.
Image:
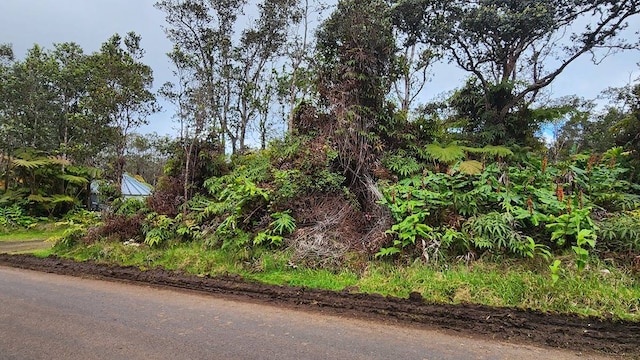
(514, 325)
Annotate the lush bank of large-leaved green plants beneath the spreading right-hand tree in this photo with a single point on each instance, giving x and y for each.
(505, 209)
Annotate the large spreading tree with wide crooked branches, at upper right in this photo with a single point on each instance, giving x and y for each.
(516, 48)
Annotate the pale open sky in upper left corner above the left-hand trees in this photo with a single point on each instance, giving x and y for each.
(90, 23)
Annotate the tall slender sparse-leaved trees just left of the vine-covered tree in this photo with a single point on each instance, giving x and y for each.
(232, 69)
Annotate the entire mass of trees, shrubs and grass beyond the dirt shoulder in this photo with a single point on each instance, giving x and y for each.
(462, 200)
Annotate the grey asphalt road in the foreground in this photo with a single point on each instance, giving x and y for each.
(45, 316)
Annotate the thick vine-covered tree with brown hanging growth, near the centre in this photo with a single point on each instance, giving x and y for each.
(355, 52)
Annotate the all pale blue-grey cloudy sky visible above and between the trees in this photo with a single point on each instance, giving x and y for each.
(89, 23)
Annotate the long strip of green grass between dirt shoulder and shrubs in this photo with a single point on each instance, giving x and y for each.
(609, 294)
